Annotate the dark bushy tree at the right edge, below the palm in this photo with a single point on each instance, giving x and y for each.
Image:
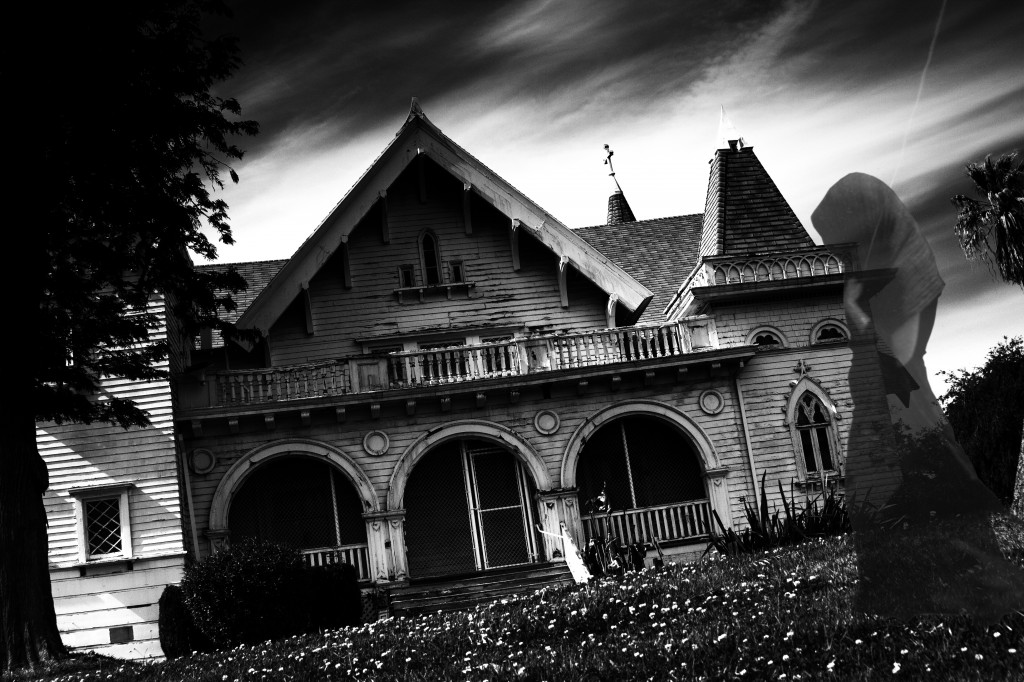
(986, 409)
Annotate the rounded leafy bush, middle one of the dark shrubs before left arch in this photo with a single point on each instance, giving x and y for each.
(250, 593)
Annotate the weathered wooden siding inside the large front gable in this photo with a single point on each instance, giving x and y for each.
(502, 297)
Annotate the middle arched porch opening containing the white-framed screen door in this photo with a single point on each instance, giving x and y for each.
(468, 508)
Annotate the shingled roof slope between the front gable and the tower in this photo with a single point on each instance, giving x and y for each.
(659, 253)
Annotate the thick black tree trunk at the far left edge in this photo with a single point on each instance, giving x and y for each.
(28, 623)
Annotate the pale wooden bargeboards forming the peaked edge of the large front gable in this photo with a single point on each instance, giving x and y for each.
(417, 137)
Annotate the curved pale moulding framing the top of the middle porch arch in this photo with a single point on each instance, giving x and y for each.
(468, 429)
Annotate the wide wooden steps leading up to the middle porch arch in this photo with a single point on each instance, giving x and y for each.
(461, 593)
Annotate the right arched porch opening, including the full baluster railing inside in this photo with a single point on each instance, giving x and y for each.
(641, 479)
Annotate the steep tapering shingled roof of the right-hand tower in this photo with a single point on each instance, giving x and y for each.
(746, 214)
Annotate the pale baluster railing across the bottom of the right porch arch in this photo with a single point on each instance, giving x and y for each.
(681, 521)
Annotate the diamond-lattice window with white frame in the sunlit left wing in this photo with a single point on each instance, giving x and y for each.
(104, 529)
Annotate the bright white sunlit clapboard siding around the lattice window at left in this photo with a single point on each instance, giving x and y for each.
(95, 598)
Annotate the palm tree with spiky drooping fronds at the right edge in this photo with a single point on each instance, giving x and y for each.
(994, 228)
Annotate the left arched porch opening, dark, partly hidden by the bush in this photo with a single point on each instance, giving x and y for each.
(305, 503)
